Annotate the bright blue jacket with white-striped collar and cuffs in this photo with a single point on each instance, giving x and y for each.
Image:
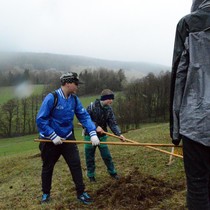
(59, 121)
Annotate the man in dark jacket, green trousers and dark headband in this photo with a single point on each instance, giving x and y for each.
(102, 115)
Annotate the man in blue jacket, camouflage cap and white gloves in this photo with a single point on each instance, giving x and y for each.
(56, 124)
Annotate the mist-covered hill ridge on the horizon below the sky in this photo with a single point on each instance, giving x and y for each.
(58, 62)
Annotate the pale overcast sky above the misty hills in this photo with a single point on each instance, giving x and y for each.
(126, 30)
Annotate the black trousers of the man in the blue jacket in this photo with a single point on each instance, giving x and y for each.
(50, 154)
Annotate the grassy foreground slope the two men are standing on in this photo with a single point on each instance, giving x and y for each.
(21, 168)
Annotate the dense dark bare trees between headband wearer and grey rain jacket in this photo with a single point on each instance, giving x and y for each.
(143, 100)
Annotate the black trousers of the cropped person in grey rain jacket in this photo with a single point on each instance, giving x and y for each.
(197, 169)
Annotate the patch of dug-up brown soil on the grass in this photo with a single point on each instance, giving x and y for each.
(136, 191)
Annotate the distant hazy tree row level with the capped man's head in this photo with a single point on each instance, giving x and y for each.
(94, 80)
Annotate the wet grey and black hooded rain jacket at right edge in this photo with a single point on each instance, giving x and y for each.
(190, 77)
